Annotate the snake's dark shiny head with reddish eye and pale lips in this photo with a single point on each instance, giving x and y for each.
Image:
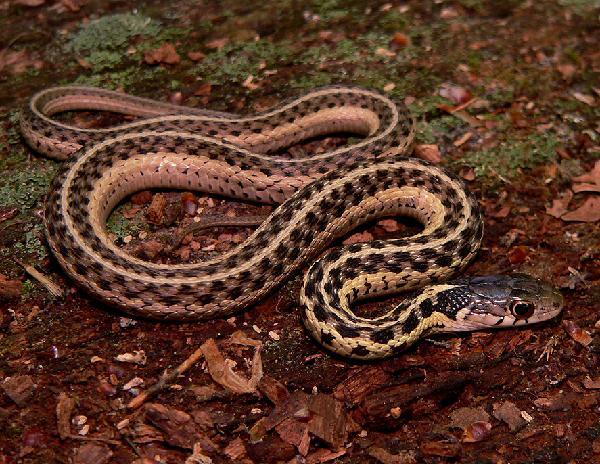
(501, 301)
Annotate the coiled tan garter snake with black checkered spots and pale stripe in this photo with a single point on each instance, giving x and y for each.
(321, 198)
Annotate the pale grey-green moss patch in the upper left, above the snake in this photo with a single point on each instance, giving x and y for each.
(112, 32)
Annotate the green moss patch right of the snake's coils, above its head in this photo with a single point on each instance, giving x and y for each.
(507, 158)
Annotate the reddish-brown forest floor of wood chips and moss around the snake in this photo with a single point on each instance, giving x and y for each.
(507, 94)
